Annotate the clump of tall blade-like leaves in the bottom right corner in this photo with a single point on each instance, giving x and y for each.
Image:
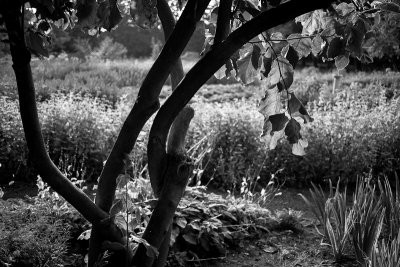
(362, 221)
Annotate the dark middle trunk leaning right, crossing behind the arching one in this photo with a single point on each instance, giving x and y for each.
(146, 104)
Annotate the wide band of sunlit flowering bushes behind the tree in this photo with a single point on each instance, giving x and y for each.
(355, 129)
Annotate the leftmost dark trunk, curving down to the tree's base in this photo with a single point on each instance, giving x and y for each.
(48, 171)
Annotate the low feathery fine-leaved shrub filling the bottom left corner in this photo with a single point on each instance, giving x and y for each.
(31, 235)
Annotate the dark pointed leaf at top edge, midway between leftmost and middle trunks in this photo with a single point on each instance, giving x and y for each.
(109, 14)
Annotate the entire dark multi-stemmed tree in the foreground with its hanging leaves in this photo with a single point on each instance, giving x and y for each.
(239, 44)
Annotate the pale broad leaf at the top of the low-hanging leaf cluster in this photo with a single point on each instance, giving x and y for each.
(281, 71)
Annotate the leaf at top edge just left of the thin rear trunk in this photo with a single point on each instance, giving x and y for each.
(144, 13)
